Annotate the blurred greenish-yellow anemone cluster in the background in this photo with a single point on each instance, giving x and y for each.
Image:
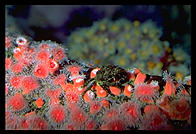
(125, 43)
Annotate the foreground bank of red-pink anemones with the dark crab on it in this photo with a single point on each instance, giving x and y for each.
(46, 90)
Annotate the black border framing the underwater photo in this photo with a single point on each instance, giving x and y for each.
(81, 2)
